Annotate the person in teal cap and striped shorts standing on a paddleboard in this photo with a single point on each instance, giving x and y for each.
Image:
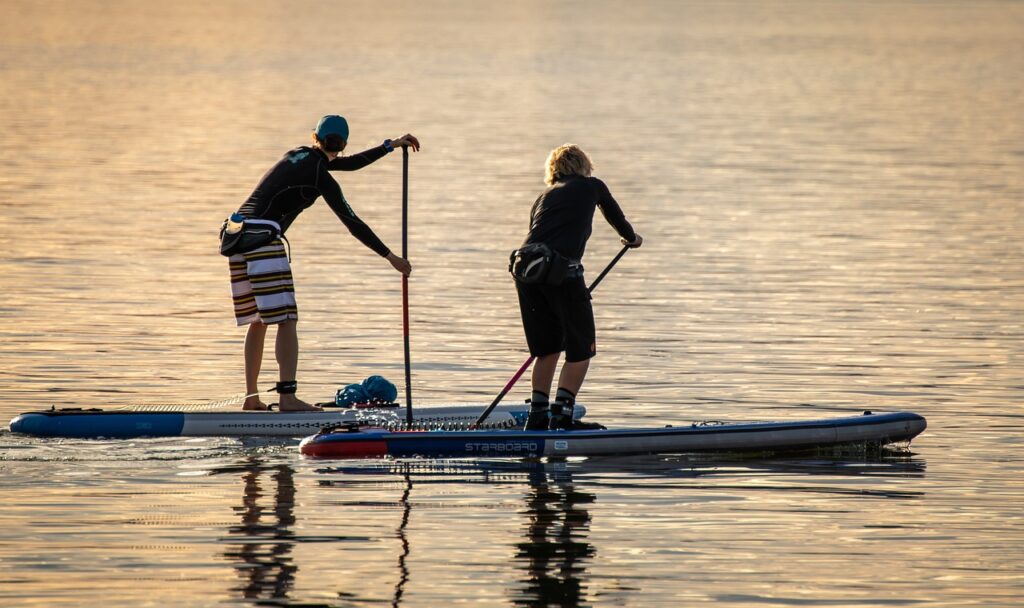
(263, 288)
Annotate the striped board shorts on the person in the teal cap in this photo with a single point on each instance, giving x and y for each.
(263, 287)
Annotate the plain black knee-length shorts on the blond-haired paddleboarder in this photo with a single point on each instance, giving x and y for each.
(559, 319)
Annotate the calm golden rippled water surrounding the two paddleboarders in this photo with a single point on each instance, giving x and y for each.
(833, 198)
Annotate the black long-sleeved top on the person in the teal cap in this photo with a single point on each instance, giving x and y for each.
(300, 179)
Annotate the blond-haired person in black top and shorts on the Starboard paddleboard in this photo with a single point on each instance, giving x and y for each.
(557, 312)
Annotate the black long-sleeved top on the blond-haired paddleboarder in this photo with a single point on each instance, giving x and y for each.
(563, 218)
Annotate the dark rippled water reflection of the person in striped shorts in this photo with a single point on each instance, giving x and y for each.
(264, 554)
